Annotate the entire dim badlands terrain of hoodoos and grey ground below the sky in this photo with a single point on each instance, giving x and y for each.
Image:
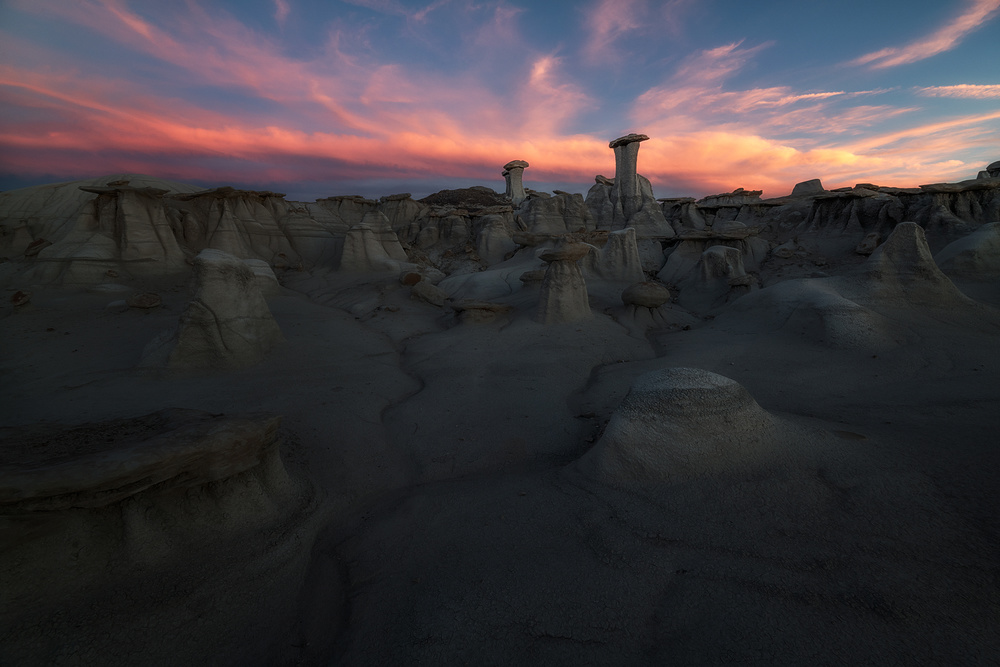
(519, 428)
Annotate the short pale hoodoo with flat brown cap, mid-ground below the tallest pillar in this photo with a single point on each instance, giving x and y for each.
(563, 297)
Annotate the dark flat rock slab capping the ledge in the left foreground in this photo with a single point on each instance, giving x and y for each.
(51, 467)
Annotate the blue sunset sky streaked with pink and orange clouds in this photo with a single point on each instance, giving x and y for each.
(316, 98)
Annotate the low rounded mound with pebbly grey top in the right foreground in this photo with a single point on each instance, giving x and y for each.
(678, 424)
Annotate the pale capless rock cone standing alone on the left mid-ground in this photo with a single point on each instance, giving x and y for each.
(226, 326)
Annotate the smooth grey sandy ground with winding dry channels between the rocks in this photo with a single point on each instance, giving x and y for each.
(447, 522)
